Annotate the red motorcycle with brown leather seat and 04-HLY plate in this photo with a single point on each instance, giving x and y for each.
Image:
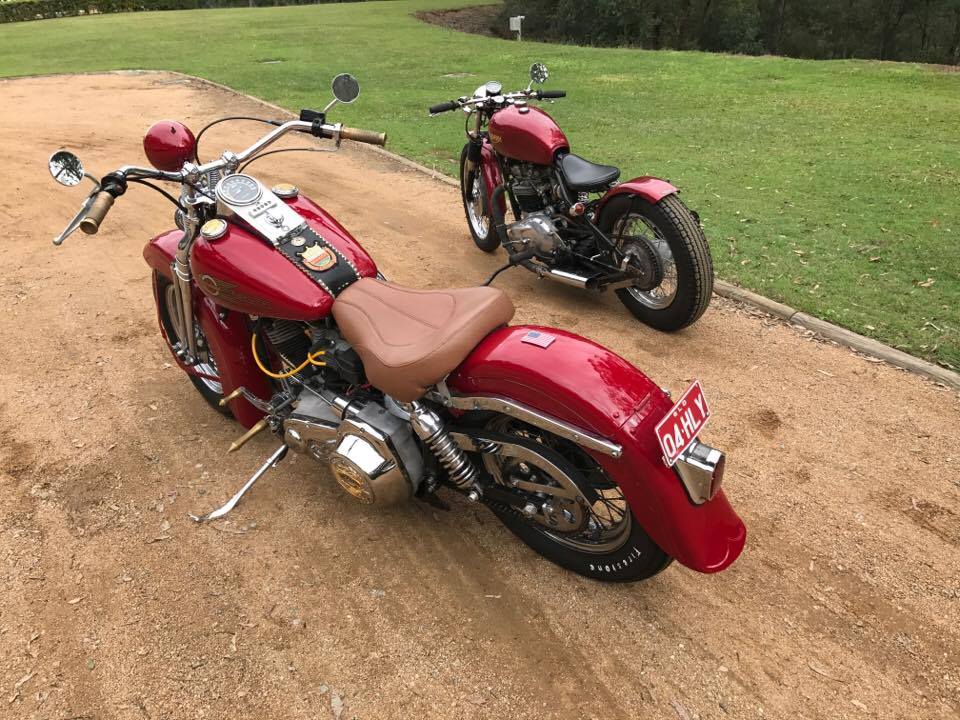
(279, 317)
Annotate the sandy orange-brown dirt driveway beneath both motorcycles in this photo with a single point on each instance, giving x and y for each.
(113, 604)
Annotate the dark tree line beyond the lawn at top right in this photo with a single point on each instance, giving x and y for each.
(908, 30)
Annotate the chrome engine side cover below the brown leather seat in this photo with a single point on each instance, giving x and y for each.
(371, 451)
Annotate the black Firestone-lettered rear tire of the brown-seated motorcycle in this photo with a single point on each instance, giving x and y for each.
(632, 557)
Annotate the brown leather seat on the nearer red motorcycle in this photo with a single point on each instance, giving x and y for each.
(411, 339)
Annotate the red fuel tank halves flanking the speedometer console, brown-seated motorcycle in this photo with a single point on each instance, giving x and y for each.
(243, 272)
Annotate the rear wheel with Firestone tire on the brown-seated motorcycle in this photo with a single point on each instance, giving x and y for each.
(589, 528)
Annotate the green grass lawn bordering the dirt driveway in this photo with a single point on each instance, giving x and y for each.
(831, 186)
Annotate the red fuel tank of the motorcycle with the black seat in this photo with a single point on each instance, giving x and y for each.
(530, 136)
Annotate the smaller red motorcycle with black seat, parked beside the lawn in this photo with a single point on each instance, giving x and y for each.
(587, 230)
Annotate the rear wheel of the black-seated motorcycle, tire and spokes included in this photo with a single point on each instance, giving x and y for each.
(665, 237)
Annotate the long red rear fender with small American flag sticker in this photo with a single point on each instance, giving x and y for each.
(584, 384)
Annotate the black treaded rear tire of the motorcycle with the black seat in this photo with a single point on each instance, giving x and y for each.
(691, 255)
